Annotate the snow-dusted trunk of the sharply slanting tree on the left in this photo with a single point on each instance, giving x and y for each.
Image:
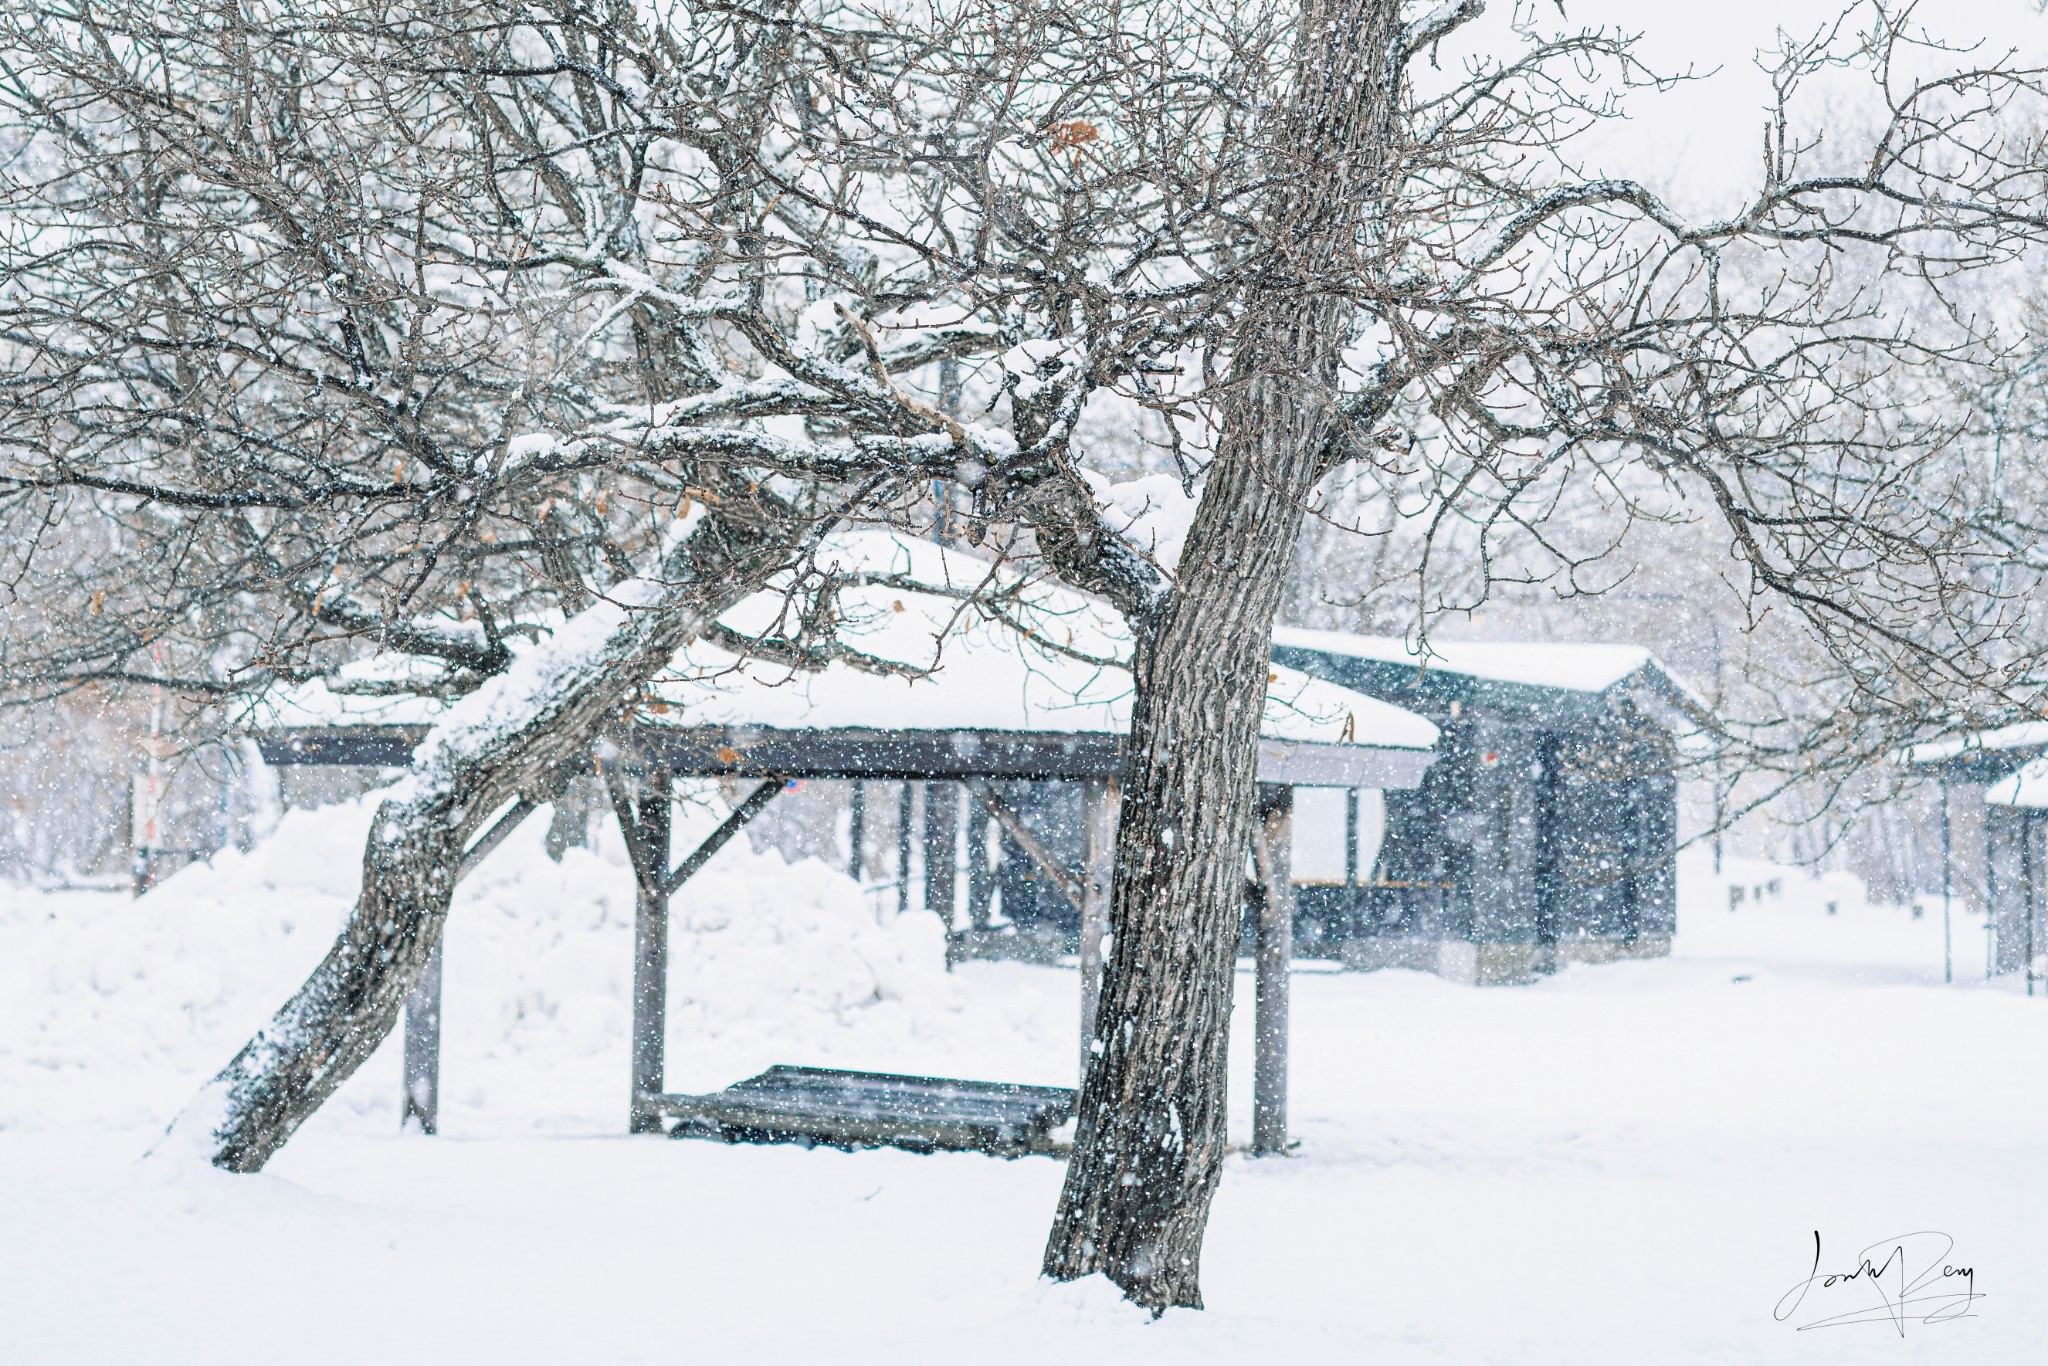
(511, 738)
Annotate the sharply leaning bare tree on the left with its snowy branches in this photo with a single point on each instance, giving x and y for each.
(425, 331)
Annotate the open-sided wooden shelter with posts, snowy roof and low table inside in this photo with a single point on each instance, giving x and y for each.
(1035, 695)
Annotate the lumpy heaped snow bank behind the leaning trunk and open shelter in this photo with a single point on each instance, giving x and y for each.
(114, 1011)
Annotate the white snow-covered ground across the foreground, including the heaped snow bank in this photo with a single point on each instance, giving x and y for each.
(1621, 1164)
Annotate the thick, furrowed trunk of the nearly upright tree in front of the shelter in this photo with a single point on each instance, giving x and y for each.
(1152, 1119)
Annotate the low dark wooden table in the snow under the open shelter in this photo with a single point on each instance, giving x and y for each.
(871, 1109)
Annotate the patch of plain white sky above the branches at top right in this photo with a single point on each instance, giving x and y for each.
(1701, 144)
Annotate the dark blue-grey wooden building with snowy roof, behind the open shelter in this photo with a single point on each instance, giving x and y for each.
(1547, 830)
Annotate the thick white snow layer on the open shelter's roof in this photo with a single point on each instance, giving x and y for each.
(1052, 660)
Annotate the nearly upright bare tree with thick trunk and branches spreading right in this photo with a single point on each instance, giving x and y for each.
(1437, 286)
